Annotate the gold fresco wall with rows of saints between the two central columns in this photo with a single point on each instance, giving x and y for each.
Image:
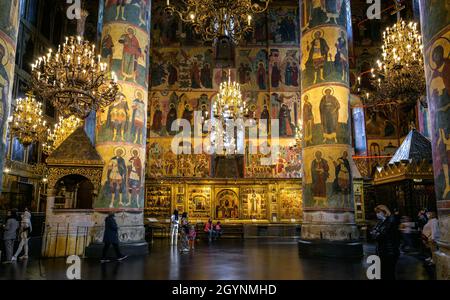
(184, 79)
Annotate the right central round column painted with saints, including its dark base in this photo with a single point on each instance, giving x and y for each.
(329, 227)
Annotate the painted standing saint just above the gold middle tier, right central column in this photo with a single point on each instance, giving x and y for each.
(318, 55)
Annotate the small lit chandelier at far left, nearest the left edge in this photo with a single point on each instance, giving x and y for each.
(26, 122)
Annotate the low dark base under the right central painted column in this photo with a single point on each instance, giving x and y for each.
(332, 249)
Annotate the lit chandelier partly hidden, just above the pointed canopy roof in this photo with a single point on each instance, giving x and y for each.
(61, 131)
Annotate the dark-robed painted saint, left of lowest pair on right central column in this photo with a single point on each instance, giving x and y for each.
(319, 174)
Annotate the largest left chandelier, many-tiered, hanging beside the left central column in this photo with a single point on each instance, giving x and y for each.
(74, 79)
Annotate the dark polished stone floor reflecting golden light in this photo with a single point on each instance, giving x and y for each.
(223, 260)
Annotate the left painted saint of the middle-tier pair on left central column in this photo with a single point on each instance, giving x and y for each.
(117, 120)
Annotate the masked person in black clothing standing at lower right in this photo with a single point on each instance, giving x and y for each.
(386, 235)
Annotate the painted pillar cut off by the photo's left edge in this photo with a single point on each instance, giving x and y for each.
(9, 27)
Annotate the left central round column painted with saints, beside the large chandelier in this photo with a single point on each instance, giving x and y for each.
(121, 128)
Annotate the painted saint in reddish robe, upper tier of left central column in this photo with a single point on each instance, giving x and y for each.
(131, 53)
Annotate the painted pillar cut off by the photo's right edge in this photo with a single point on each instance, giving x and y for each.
(435, 20)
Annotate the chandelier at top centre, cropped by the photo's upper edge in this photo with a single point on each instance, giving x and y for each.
(213, 19)
